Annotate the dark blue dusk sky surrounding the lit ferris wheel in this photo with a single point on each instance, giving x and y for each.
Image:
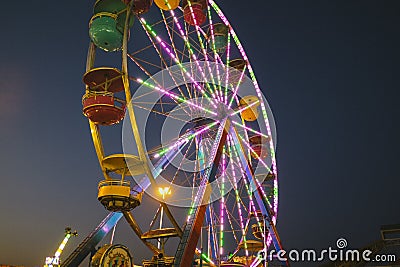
(329, 69)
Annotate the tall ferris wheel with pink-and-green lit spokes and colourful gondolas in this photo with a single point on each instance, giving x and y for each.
(197, 132)
